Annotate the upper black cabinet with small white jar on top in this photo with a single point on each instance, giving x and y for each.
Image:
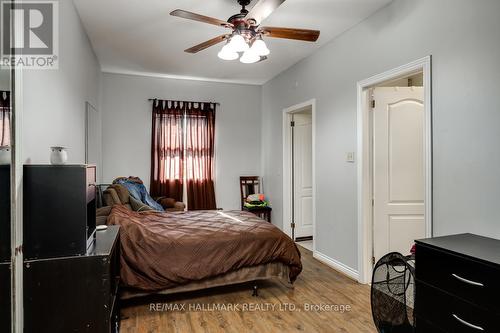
(59, 210)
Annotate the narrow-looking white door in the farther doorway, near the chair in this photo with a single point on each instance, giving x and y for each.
(302, 148)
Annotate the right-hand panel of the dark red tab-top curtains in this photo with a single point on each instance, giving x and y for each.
(200, 154)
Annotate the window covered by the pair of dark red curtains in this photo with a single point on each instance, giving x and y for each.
(182, 152)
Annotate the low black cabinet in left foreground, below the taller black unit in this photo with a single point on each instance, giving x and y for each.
(76, 293)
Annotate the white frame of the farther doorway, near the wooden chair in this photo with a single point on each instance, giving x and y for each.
(287, 160)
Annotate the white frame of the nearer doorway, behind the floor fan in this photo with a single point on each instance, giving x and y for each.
(365, 172)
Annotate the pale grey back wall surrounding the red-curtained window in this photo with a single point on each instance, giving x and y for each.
(127, 128)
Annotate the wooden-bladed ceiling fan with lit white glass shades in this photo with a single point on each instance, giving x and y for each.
(246, 36)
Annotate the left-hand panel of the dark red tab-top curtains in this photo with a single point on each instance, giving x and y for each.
(167, 150)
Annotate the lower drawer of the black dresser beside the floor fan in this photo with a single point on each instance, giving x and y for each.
(452, 314)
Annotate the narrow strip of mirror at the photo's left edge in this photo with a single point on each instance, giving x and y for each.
(5, 207)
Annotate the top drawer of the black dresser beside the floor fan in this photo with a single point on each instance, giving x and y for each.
(465, 278)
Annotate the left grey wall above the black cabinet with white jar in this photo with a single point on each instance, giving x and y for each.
(54, 100)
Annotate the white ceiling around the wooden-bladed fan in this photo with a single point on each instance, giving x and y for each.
(139, 36)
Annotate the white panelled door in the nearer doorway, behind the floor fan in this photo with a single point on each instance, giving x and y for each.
(398, 169)
